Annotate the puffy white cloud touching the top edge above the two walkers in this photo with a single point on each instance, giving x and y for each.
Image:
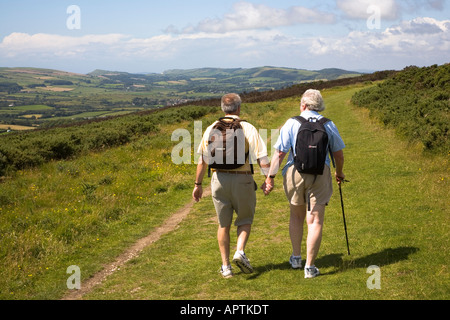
(248, 16)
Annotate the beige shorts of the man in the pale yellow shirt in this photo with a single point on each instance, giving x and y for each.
(233, 192)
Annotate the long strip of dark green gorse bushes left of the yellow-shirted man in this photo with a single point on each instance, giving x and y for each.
(29, 149)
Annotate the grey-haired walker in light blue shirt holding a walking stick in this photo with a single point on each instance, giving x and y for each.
(300, 188)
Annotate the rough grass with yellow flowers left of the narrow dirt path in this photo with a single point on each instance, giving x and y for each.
(84, 212)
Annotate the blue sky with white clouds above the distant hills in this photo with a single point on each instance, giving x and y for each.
(153, 36)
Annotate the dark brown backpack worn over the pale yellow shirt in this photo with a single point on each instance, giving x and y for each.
(227, 145)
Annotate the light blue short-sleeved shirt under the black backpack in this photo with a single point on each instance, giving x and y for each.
(288, 137)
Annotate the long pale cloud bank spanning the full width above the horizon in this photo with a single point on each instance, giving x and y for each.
(420, 41)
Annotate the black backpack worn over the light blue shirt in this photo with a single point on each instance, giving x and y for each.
(311, 146)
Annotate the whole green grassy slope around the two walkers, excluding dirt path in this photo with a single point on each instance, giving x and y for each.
(86, 211)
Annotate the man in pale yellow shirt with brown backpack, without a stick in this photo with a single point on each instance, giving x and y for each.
(232, 189)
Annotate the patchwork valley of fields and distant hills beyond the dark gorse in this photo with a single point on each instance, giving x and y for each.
(31, 97)
